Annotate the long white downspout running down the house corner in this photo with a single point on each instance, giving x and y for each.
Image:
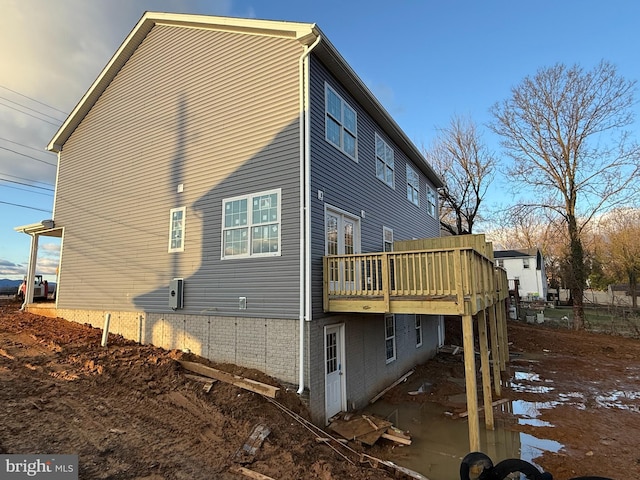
(305, 188)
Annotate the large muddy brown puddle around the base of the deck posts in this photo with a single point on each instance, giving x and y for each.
(439, 443)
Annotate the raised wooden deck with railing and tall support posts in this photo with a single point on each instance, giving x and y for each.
(434, 276)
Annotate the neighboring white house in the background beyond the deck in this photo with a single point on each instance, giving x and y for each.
(526, 266)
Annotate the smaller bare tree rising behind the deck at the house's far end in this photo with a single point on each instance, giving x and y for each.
(467, 168)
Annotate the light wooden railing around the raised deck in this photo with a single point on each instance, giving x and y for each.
(443, 281)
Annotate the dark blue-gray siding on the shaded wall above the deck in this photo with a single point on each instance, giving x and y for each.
(353, 186)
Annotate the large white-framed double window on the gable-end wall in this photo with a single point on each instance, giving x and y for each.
(251, 225)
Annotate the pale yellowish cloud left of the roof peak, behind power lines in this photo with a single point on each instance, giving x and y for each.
(52, 52)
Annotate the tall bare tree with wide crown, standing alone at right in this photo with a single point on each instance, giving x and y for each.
(564, 128)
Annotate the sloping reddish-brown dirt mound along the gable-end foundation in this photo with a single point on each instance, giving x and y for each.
(129, 411)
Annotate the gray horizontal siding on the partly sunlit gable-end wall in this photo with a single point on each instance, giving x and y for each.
(214, 111)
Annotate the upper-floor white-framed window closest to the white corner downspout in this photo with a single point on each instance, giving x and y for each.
(340, 123)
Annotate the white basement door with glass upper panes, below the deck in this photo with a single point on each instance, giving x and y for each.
(335, 398)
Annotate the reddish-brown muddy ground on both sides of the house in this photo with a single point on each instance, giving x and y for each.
(130, 412)
